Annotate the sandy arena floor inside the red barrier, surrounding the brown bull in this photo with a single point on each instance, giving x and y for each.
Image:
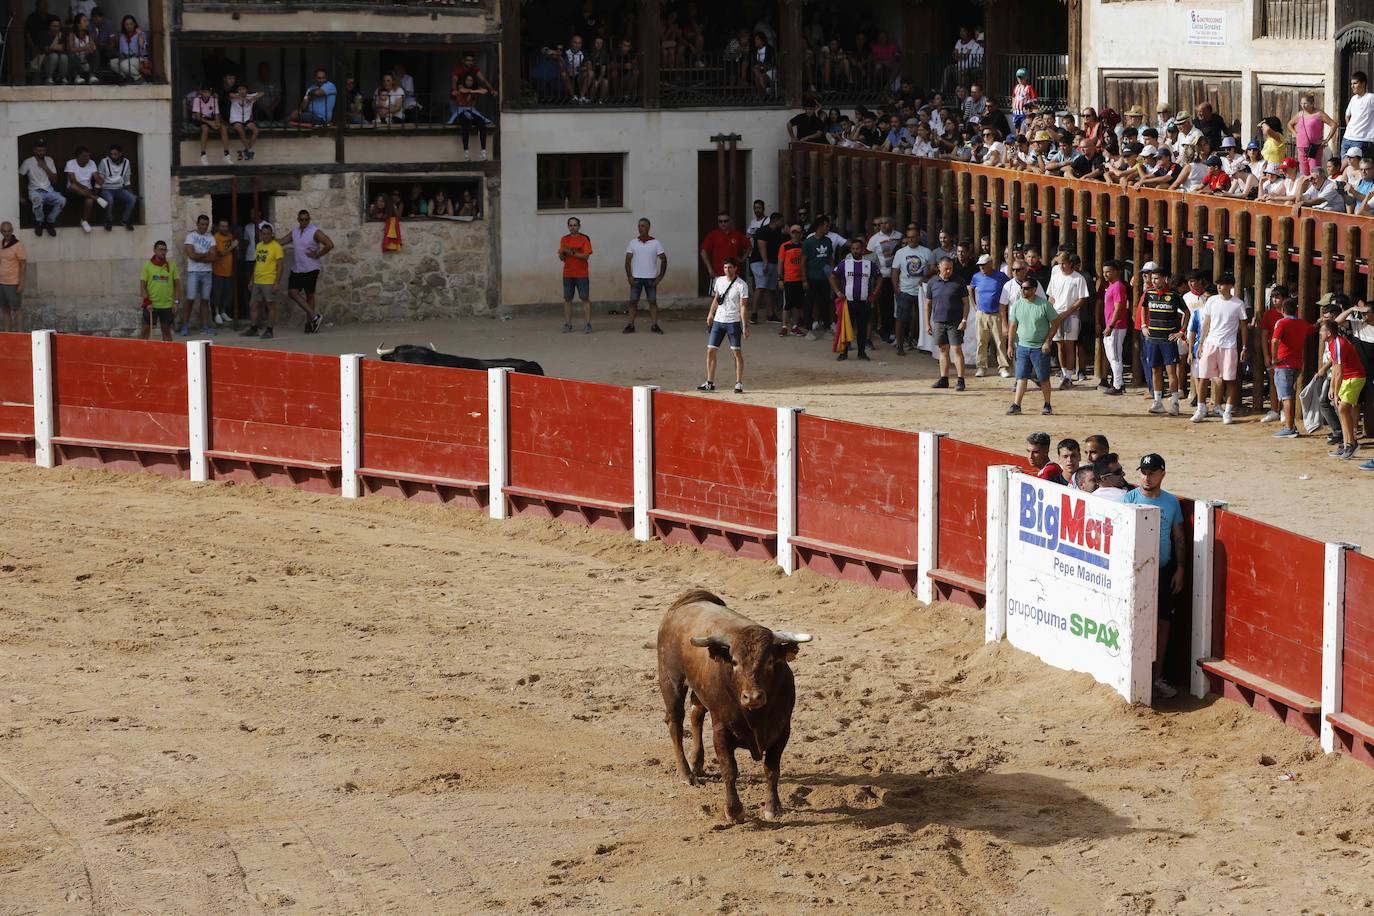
(229, 700)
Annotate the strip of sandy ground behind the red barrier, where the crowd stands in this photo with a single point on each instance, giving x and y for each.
(1289, 484)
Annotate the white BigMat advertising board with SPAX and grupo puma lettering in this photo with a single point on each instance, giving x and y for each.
(1072, 579)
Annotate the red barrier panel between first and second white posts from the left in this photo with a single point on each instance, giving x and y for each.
(120, 404)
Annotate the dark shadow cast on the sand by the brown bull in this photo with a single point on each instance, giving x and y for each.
(1028, 810)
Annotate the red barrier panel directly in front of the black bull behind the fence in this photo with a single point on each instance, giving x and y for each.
(425, 433)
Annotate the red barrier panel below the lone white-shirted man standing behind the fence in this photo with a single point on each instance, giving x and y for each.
(717, 474)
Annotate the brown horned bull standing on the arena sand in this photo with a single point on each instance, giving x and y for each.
(737, 671)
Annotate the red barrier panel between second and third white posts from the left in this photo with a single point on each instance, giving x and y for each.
(275, 418)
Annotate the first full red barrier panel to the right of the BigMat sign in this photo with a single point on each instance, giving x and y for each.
(1268, 593)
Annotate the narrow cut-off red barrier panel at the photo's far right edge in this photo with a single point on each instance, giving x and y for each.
(1355, 724)
